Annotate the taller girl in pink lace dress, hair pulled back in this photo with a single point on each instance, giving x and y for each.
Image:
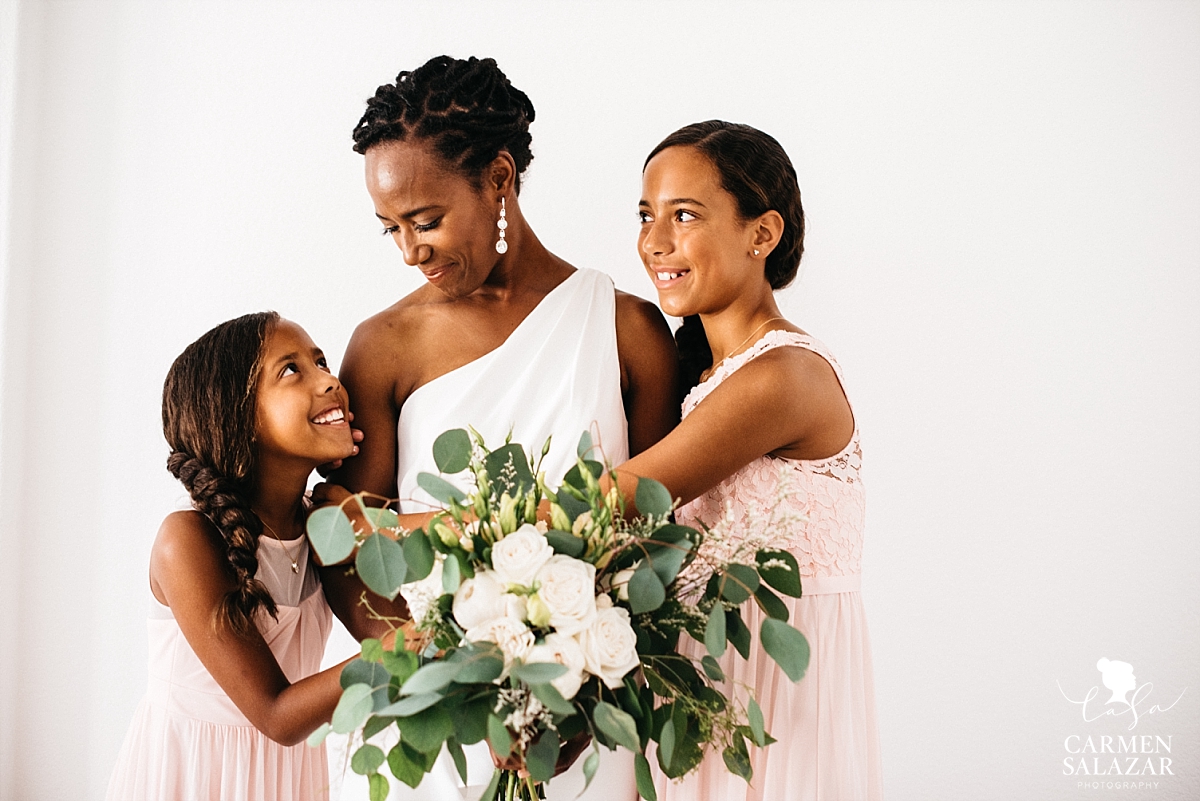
(767, 435)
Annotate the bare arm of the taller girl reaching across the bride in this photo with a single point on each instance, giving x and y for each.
(787, 402)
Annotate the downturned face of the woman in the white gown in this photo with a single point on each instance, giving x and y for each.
(441, 221)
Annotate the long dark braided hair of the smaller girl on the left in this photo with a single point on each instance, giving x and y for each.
(209, 420)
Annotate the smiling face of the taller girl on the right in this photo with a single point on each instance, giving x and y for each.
(693, 242)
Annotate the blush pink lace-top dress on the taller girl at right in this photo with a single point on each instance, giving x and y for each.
(827, 737)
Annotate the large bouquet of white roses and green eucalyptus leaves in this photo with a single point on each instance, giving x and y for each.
(543, 619)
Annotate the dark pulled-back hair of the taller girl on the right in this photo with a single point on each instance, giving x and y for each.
(760, 177)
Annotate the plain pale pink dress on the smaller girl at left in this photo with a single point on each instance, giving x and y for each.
(190, 743)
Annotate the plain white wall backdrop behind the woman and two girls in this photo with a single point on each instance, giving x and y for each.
(1004, 252)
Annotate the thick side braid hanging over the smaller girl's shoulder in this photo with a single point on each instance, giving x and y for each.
(218, 499)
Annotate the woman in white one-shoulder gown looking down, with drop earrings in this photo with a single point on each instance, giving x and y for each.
(505, 336)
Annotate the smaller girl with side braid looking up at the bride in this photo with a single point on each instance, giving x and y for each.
(239, 622)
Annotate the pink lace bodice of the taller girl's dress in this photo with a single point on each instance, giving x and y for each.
(814, 509)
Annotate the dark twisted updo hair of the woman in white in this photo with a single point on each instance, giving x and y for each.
(466, 109)
